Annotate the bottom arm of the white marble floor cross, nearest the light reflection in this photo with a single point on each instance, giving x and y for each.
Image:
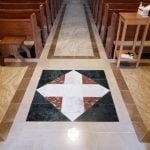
(72, 107)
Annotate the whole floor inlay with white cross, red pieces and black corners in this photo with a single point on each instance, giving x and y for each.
(69, 95)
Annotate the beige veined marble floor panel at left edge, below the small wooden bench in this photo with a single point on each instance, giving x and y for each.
(10, 78)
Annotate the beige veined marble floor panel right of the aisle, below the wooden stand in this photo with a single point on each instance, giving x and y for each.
(138, 83)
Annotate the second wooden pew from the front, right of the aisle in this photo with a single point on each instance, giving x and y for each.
(109, 8)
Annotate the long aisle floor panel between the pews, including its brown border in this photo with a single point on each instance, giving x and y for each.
(74, 36)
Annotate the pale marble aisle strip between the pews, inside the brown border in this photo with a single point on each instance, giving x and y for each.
(77, 42)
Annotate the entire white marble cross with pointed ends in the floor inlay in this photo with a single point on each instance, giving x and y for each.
(72, 92)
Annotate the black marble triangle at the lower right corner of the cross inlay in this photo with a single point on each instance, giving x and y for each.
(103, 111)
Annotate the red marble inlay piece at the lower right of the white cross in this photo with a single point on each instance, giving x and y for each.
(90, 101)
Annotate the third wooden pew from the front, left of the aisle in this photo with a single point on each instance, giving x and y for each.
(30, 4)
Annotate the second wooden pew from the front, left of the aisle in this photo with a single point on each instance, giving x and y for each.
(26, 13)
